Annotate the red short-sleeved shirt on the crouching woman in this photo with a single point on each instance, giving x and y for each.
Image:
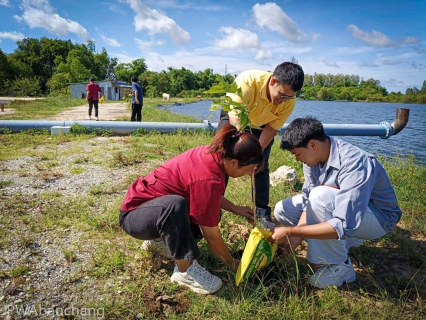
(196, 175)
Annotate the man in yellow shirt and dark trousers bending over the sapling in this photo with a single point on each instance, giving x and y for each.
(270, 99)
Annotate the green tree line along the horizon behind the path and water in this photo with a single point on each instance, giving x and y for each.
(47, 66)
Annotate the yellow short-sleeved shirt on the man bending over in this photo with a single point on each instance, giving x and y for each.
(253, 84)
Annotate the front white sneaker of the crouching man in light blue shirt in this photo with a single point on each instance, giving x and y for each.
(334, 275)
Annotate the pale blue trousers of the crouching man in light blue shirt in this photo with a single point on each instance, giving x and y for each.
(320, 209)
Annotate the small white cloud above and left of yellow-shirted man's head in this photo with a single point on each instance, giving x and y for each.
(237, 39)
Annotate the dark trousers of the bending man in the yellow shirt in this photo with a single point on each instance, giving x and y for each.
(261, 179)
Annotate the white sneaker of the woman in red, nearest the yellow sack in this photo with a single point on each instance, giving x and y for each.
(197, 279)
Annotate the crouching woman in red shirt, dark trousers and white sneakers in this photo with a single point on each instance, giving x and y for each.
(184, 195)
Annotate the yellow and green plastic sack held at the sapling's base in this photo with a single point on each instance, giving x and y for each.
(257, 254)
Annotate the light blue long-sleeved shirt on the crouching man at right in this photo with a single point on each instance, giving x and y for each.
(362, 181)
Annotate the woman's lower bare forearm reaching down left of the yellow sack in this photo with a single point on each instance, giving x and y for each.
(217, 246)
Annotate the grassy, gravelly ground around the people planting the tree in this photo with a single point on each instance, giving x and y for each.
(103, 268)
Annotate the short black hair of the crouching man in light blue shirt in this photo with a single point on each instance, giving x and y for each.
(300, 131)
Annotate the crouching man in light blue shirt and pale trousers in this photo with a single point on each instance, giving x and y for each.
(347, 196)
